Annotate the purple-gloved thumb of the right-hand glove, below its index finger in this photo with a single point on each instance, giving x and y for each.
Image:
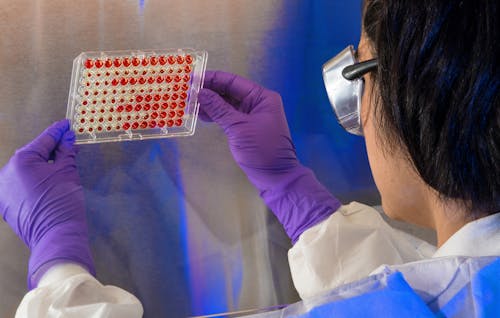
(217, 109)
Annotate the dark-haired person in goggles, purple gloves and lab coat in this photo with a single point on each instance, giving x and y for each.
(422, 88)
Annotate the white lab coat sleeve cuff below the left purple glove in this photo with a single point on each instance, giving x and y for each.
(67, 290)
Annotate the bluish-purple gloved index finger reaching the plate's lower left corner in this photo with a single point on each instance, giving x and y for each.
(47, 141)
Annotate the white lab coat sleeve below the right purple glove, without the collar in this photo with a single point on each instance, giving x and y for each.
(348, 246)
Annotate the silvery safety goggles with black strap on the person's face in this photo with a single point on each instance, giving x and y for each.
(343, 77)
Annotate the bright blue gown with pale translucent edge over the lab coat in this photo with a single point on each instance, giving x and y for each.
(472, 291)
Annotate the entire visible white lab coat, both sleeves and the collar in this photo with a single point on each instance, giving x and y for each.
(351, 244)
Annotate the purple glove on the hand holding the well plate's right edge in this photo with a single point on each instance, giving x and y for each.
(254, 122)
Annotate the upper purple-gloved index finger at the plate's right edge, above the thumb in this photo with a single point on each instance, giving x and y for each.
(229, 85)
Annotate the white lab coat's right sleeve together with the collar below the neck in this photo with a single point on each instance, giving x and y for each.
(356, 242)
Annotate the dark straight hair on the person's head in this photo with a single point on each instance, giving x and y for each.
(437, 87)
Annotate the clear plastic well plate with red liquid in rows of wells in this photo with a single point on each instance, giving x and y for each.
(127, 95)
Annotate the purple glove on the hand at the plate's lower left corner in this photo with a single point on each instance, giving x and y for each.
(44, 204)
